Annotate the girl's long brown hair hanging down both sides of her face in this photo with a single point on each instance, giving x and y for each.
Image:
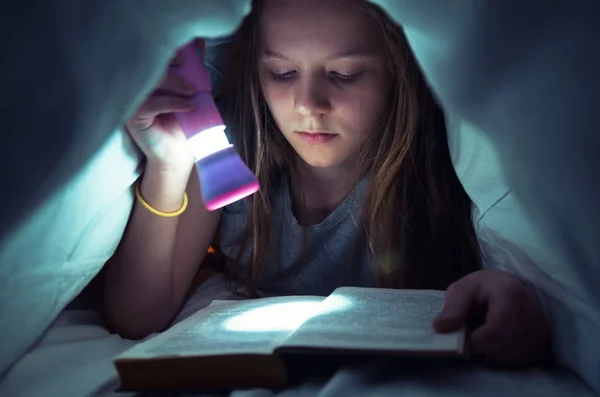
(416, 216)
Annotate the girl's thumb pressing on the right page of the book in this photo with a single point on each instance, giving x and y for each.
(458, 302)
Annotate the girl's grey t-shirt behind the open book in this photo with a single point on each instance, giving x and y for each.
(334, 252)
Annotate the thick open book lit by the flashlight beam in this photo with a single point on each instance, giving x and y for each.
(251, 343)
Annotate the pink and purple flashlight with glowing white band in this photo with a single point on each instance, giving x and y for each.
(224, 177)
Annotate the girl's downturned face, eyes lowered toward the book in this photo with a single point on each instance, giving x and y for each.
(323, 71)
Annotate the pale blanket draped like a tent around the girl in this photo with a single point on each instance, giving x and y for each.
(51, 257)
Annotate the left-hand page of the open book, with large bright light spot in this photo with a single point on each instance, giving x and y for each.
(254, 326)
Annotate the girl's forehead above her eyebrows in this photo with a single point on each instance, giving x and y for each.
(323, 27)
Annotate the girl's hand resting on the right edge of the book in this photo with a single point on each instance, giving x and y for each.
(509, 328)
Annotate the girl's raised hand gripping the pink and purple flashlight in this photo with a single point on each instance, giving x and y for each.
(154, 129)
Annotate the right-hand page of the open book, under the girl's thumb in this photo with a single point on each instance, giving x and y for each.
(377, 319)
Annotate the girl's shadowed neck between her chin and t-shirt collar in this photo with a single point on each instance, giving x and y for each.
(318, 191)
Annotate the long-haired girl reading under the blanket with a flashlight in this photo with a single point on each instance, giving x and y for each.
(326, 104)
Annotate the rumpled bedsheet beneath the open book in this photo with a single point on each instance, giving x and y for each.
(74, 358)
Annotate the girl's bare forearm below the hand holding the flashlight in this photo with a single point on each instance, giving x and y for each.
(149, 276)
